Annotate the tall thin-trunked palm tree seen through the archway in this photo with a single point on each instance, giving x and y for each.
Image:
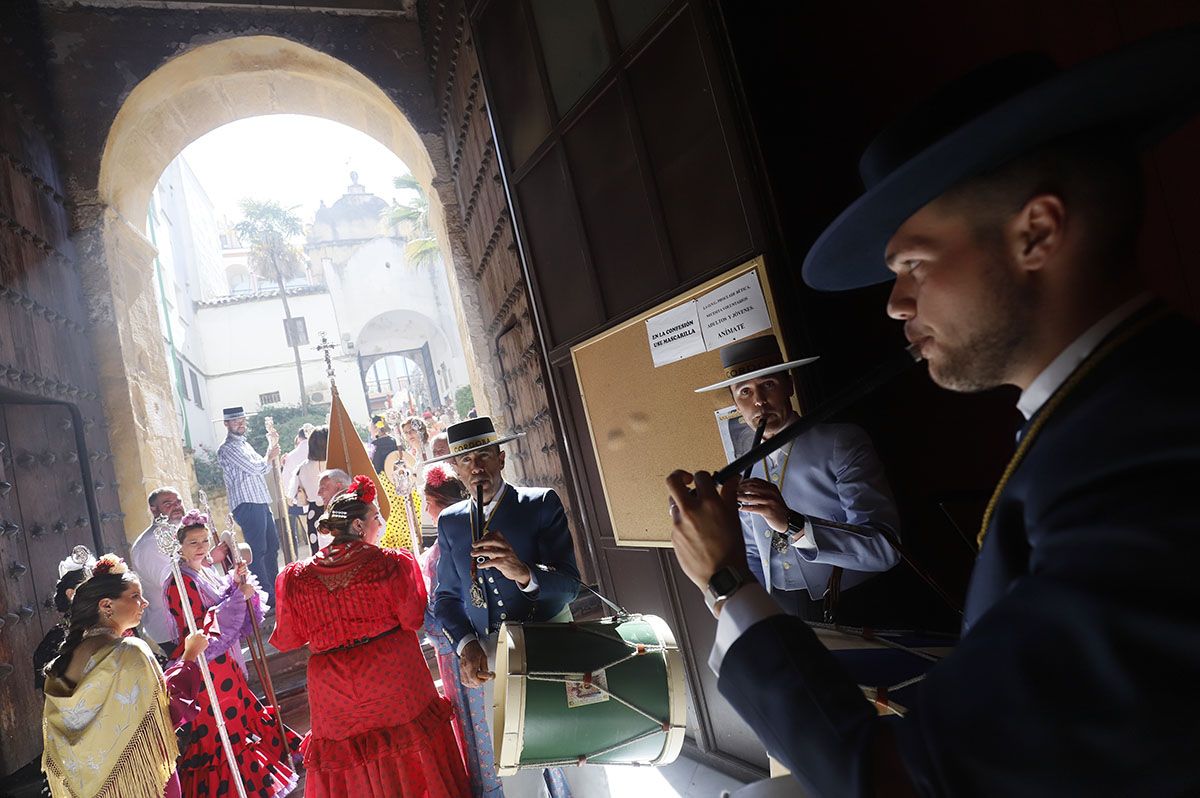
(268, 229)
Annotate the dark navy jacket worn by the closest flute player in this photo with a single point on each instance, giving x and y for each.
(1077, 671)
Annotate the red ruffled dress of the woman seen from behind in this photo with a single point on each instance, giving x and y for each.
(379, 725)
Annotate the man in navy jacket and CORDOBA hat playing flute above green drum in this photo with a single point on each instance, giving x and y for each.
(527, 571)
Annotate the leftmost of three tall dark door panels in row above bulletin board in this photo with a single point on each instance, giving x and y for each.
(556, 251)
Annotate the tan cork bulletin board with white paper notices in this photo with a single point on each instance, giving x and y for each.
(646, 422)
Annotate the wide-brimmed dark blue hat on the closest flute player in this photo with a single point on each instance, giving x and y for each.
(997, 113)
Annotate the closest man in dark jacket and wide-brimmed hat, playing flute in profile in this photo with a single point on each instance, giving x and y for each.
(1009, 211)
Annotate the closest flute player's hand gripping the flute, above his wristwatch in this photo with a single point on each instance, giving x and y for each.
(707, 533)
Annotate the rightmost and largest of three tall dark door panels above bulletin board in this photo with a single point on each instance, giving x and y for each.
(688, 149)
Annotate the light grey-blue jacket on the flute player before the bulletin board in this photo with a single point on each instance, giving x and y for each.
(837, 481)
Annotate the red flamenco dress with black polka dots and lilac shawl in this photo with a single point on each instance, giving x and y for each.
(263, 757)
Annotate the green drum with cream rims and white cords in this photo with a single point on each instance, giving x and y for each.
(608, 692)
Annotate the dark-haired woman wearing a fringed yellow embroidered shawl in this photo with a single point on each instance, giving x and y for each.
(111, 712)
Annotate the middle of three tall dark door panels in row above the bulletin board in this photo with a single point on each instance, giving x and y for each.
(615, 208)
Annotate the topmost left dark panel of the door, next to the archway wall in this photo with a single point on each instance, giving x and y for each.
(514, 86)
